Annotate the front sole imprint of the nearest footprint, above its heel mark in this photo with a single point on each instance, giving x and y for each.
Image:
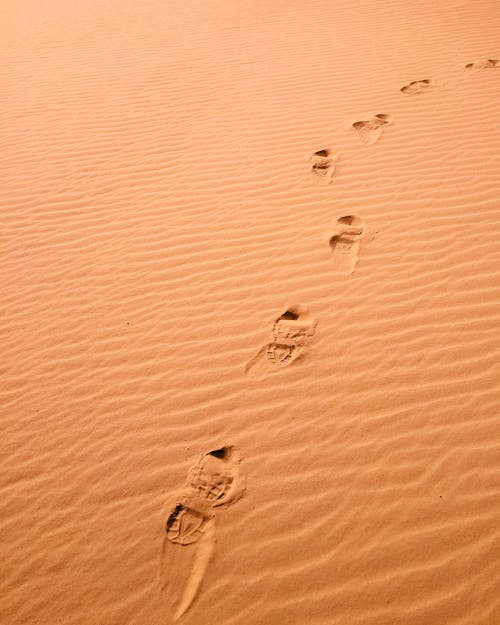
(216, 477)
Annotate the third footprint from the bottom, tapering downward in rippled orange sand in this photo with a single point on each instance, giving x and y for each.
(344, 240)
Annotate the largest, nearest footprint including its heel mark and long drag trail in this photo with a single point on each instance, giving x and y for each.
(213, 481)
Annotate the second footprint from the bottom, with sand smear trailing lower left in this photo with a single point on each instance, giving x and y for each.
(291, 334)
